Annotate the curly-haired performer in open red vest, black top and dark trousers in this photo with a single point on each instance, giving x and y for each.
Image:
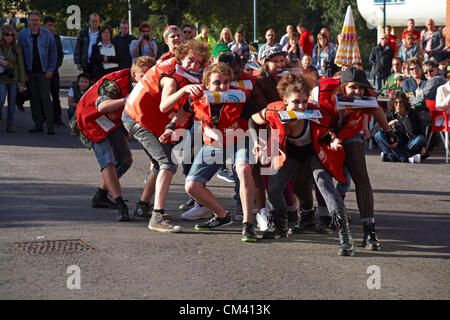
(295, 142)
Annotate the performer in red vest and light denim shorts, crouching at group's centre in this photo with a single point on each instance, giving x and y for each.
(224, 126)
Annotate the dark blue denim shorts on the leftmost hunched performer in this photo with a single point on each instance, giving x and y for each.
(113, 149)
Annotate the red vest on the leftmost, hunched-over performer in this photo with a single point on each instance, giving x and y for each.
(94, 124)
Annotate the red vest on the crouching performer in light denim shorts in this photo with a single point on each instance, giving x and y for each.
(230, 119)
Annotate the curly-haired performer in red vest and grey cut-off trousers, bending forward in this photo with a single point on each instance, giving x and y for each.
(152, 104)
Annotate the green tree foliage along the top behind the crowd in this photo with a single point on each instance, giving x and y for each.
(216, 14)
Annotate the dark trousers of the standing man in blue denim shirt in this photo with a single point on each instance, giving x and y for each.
(40, 103)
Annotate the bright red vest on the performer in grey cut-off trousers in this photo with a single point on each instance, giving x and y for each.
(143, 103)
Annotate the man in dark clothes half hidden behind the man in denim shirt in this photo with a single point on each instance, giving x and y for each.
(49, 24)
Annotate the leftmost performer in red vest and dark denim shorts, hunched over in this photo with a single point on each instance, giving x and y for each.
(98, 116)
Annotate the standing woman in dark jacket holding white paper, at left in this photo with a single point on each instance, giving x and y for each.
(105, 56)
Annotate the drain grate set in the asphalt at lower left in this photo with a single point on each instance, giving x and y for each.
(53, 246)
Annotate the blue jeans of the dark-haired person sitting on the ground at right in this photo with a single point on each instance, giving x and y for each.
(403, 151)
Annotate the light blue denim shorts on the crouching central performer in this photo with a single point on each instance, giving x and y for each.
(210, 159)
